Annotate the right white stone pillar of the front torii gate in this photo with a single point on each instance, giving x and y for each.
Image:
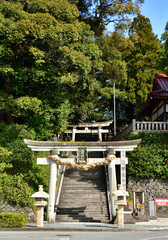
(112, 182)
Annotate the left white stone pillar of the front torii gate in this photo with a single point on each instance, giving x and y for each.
(52, 188)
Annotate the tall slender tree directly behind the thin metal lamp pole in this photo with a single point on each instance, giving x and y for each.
(114, 47)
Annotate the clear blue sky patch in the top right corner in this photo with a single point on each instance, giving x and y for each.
(157, 12)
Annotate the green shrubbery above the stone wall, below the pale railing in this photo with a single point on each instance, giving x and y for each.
(146, 161)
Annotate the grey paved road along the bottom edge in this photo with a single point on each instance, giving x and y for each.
(148, 235)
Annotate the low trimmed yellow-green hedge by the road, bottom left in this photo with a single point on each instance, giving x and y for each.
(10, 220)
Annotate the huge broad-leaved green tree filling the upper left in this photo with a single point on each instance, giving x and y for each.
(48, 64)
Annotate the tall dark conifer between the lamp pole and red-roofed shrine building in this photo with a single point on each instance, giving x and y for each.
(142, 60)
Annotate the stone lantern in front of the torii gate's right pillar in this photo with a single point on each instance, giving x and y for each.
(121, 202)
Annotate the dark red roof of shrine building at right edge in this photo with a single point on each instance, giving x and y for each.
(158, 93)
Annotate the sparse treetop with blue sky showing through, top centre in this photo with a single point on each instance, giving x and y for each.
(99, 13)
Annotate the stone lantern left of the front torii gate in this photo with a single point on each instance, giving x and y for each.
(40, 203)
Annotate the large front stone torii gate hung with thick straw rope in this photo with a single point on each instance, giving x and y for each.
(110, 149)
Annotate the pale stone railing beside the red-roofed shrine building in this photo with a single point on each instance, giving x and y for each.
(140, 126)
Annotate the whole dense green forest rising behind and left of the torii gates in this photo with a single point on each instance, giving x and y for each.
(55, 59)
